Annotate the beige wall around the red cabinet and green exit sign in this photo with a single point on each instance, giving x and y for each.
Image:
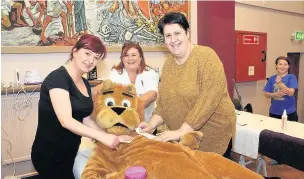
(279, 25)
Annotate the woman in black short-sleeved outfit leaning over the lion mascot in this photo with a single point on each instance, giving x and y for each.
(63, 113)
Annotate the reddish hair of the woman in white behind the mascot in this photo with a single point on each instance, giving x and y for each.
(125, 48)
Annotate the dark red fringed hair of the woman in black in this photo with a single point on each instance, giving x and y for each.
(92, 43)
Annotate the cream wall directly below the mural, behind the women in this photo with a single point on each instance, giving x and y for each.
(46, 62)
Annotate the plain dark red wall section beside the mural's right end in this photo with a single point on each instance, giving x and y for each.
(216, 29)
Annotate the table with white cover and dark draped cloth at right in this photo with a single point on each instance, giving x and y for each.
(257, 134)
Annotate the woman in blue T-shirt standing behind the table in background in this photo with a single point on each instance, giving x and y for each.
(281, 88)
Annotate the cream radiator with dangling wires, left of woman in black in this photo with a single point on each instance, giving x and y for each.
(19, 119)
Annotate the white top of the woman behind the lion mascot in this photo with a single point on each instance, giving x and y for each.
(146, 81)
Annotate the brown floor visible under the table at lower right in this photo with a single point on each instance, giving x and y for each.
(281, 171)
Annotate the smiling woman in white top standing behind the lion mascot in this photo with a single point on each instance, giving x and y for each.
(132, 69)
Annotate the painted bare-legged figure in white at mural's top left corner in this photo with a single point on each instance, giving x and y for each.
(6, 8)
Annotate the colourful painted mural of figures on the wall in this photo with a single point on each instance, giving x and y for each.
(58, 23)
